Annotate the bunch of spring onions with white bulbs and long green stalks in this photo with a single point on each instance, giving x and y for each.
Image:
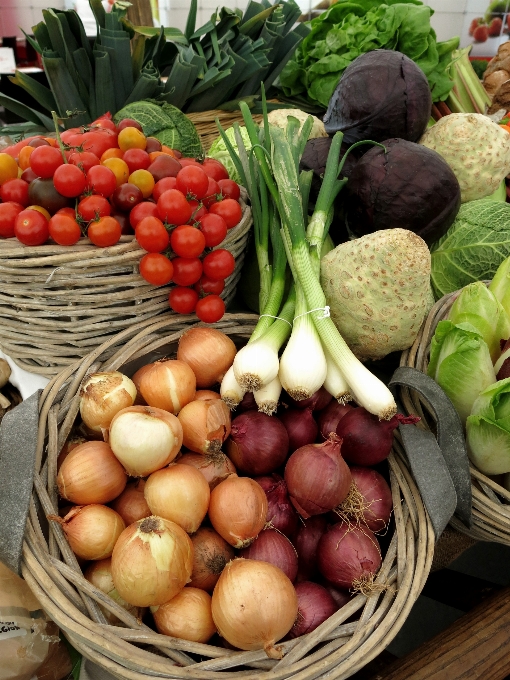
(316, 354)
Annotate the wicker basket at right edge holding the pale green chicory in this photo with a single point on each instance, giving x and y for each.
(491, 502)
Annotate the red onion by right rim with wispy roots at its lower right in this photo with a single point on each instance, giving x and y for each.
(349, 556)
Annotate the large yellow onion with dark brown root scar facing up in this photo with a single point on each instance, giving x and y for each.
(152, 562)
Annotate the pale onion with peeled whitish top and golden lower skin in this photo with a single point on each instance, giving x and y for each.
(145, 439)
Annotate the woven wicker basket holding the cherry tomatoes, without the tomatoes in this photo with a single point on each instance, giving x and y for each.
(60, 302)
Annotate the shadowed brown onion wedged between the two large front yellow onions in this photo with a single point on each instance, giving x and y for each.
(211, 554)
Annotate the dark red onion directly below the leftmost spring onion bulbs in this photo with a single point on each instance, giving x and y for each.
(258, 444)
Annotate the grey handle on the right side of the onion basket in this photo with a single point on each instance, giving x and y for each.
(450, 436)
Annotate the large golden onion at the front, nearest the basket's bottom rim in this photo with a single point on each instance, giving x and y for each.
(254, 605)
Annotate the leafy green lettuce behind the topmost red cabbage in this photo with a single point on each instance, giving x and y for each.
(351, 28)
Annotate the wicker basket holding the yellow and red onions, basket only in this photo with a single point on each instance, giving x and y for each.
(336, 649)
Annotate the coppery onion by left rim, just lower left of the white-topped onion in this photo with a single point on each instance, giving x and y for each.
(91, 474)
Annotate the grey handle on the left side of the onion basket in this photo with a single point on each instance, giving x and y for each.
(18, 448)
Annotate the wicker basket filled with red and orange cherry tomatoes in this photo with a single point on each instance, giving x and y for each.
(102, 228)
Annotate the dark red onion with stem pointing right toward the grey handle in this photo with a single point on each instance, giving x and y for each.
(366, 440)
